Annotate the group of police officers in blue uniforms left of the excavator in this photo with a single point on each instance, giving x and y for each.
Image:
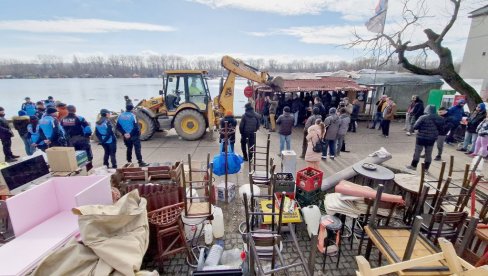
(51, 123)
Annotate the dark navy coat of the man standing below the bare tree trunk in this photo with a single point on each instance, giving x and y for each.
(428, 125)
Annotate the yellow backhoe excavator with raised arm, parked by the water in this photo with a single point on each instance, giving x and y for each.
(185, 103)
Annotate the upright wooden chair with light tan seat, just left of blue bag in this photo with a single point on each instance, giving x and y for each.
(198, 206)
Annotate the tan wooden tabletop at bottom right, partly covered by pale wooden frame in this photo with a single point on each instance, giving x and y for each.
(392, 242)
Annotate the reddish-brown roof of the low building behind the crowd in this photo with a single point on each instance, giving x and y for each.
(322, 84)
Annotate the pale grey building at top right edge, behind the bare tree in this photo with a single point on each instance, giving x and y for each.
(475, 60)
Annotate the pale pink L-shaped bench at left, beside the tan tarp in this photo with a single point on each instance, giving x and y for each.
(42, 220)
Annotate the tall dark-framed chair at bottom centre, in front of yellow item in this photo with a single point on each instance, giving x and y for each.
(264, 244)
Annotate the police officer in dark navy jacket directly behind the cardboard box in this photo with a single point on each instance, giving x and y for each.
(77, 131)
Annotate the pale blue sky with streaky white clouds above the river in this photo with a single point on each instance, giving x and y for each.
(282, 29)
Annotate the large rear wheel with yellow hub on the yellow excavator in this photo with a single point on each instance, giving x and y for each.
(190, 124)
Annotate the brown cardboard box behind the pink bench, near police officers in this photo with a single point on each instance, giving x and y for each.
(62, 159)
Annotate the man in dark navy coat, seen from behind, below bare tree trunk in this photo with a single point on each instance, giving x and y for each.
(428, 127)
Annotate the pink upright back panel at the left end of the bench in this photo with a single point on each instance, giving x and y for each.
(30, 208)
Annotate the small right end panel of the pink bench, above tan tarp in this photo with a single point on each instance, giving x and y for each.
(99, 193)
